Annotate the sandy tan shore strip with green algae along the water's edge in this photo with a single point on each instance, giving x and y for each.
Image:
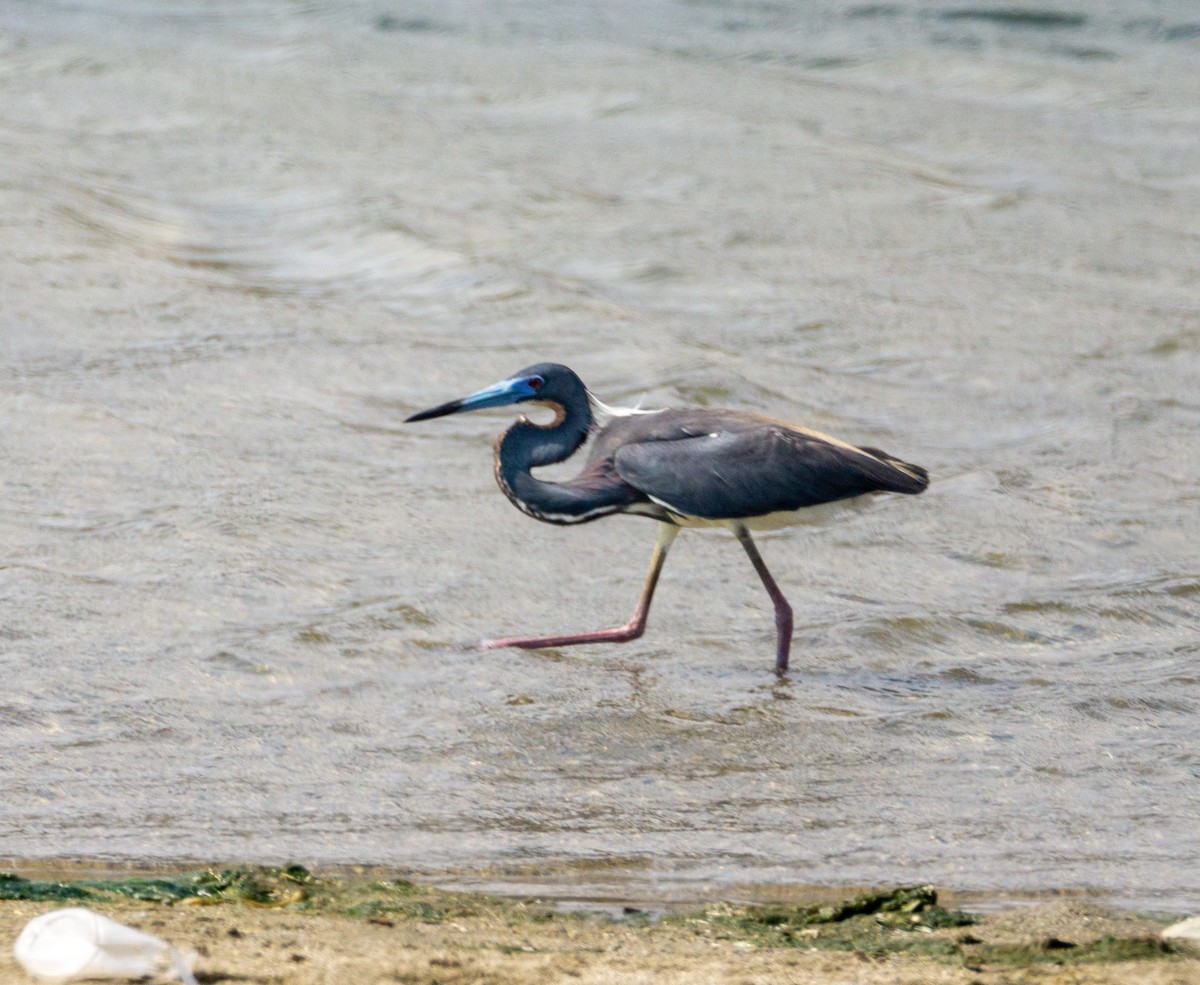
(398, 933)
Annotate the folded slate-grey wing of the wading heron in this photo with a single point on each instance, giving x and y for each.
(753, 472)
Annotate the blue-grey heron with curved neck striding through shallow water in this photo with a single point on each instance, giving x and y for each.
(683, 467)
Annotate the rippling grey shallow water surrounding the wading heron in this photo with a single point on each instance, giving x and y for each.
(243, 242)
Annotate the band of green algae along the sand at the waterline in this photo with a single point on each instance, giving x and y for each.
(901, 922)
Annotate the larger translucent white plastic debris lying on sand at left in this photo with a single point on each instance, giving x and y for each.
(77, 944)
